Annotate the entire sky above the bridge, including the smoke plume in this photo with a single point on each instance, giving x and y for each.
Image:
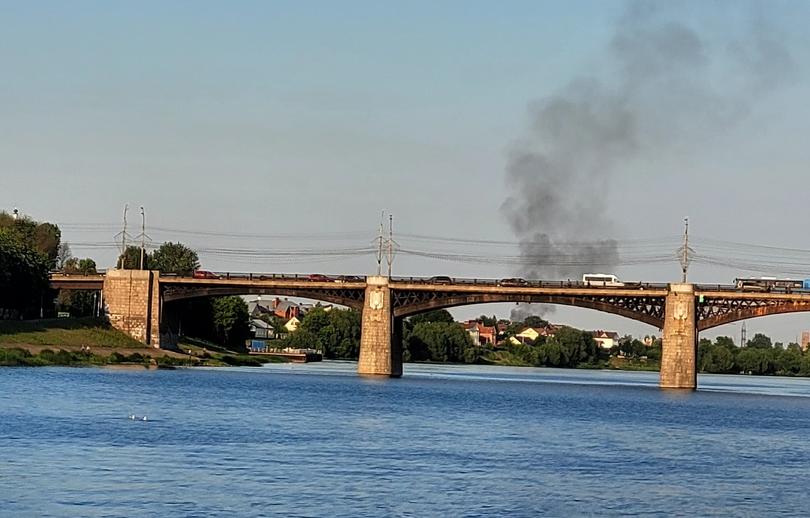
(291, 126)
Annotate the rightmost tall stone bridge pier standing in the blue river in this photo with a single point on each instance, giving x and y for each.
(679, 339)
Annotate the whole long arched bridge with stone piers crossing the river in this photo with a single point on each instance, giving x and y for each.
(135, 299)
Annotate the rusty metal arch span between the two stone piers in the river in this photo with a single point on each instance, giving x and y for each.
(649, 310)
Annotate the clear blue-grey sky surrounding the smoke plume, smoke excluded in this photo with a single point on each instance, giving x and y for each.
(312, 117)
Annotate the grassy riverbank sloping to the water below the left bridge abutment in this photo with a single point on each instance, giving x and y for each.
(93, 342)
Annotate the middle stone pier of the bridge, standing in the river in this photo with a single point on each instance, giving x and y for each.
(380, 353)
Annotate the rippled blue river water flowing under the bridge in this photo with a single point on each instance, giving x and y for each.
(317, 440)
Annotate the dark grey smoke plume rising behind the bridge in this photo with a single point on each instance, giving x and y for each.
(663, 82)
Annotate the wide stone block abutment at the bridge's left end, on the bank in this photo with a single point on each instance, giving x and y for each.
(132, 303)
